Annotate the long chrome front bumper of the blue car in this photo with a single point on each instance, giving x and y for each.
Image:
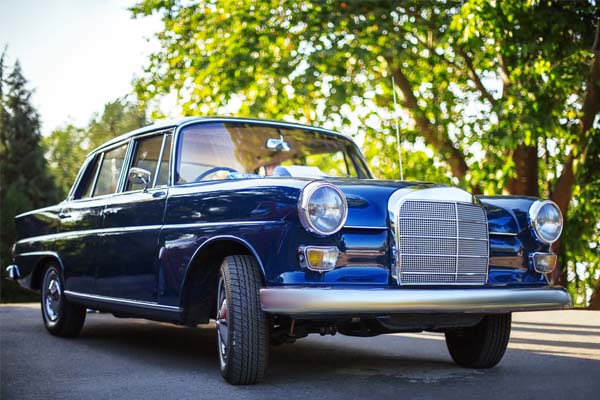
(319, 301)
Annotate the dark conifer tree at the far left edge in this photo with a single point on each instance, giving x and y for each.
(25, 182)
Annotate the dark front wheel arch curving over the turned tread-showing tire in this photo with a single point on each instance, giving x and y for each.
(198, 291)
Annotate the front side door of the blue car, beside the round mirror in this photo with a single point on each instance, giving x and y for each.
(126, 265)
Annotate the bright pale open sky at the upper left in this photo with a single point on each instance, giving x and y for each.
(77, 55)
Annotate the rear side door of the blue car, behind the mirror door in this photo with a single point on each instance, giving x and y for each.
(80, 220)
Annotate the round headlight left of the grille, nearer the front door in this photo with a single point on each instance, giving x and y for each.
(322, 208)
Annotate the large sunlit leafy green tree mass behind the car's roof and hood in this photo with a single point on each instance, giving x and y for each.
(498, 97)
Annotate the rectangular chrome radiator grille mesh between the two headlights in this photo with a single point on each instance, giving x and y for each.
(441, 243)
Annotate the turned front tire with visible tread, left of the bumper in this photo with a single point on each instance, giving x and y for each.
(242, 326)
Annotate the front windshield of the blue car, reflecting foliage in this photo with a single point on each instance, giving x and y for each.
(226, 150)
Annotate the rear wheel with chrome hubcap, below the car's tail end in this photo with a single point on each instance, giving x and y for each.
(61, 317)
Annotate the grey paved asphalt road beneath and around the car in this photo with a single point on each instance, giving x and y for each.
(552, 355)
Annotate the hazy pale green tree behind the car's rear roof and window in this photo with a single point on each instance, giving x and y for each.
(67, 147)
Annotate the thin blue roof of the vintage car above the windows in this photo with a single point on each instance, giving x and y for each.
(173, 123)
